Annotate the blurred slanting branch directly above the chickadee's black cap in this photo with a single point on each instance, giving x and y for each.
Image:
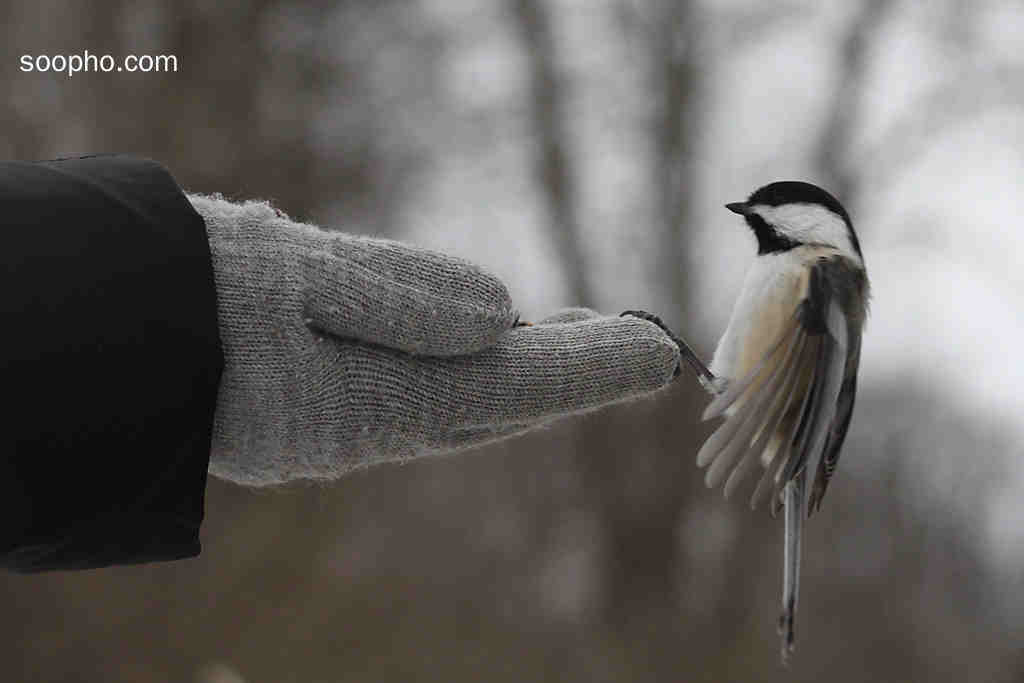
(834, 145)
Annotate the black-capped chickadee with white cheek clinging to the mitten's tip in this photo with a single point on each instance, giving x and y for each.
(785, 373)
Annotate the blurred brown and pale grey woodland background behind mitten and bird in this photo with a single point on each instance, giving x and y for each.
(583, 150)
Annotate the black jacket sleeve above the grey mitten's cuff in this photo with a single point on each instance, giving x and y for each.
(110, 362)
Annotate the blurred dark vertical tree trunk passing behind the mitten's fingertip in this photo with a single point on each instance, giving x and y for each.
(637, 461)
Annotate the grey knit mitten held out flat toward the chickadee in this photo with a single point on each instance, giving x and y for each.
(344, 352)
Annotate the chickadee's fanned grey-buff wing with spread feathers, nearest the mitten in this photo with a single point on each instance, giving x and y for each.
(791, 408)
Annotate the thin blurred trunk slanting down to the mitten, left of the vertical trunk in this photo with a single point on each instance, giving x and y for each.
(553, 165)
